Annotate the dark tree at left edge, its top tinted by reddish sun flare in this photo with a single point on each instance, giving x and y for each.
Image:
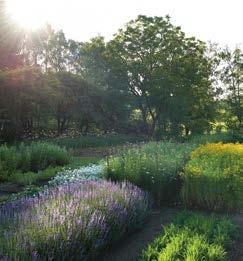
(19, 91)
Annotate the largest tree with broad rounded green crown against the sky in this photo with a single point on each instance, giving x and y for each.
(167, 73)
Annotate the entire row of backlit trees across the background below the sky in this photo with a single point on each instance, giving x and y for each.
(149, 79)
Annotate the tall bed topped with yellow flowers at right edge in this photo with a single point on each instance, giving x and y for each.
(212, 178)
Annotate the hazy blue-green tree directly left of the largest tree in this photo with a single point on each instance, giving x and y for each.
(96, 64)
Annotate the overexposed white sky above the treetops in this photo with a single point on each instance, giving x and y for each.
(216, 20)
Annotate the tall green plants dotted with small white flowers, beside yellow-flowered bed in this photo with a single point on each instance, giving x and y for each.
(154, 167)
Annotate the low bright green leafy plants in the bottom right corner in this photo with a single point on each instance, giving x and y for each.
(192, 237)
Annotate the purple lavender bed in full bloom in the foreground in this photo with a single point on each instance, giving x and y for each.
(71, 222)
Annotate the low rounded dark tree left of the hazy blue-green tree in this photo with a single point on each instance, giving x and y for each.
(70, 100)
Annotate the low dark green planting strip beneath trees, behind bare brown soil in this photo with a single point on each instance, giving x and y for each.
(97, 141)
